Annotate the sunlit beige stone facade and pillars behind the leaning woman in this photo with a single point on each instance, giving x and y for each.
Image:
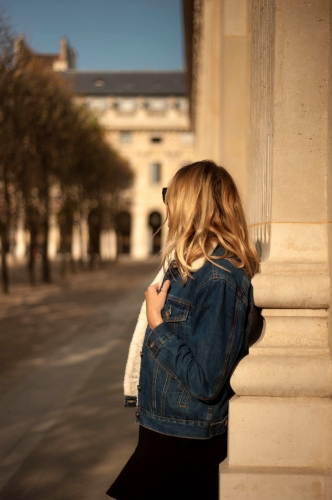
(260, 91)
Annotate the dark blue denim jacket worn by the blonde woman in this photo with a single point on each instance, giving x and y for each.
(187, 361)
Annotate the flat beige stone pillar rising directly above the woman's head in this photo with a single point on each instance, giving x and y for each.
(222, 74)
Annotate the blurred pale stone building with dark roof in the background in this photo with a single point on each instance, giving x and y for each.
(146, 119)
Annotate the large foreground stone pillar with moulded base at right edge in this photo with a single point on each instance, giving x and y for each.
(280, 421)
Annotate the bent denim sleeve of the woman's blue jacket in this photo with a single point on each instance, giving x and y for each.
(216, 338)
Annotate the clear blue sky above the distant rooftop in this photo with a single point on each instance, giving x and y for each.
(107, 34)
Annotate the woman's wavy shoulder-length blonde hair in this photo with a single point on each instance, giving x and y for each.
(204, 209)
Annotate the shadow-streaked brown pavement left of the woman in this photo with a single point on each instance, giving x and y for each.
(64, 433)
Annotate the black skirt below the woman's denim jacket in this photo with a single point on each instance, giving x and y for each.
(169, 468)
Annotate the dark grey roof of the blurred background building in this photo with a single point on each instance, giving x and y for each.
(127, 83)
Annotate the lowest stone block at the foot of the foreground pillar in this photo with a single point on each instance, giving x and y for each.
(274, 483)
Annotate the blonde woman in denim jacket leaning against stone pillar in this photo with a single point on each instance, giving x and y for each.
(190, 335)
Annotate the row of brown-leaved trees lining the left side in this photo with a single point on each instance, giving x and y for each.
(54, 157)
